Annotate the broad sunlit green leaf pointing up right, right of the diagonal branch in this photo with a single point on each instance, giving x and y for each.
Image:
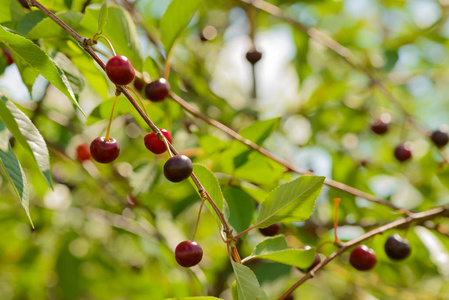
(293, 201)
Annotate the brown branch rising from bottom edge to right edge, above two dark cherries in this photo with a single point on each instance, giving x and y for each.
(412, 217)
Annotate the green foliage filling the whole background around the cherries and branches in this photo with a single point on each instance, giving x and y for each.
(109, 231)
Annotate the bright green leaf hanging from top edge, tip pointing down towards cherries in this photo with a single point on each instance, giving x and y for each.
(175, 19)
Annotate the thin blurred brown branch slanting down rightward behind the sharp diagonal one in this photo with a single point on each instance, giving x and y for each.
(329, 182)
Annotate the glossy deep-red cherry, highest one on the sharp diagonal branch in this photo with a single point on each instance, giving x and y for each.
(119, 70)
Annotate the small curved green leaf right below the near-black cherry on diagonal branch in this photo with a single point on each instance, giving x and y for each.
(210, 183)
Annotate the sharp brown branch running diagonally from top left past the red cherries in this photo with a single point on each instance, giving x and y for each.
(84, 43)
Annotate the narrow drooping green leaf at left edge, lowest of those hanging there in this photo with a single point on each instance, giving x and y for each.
(17, 177)
